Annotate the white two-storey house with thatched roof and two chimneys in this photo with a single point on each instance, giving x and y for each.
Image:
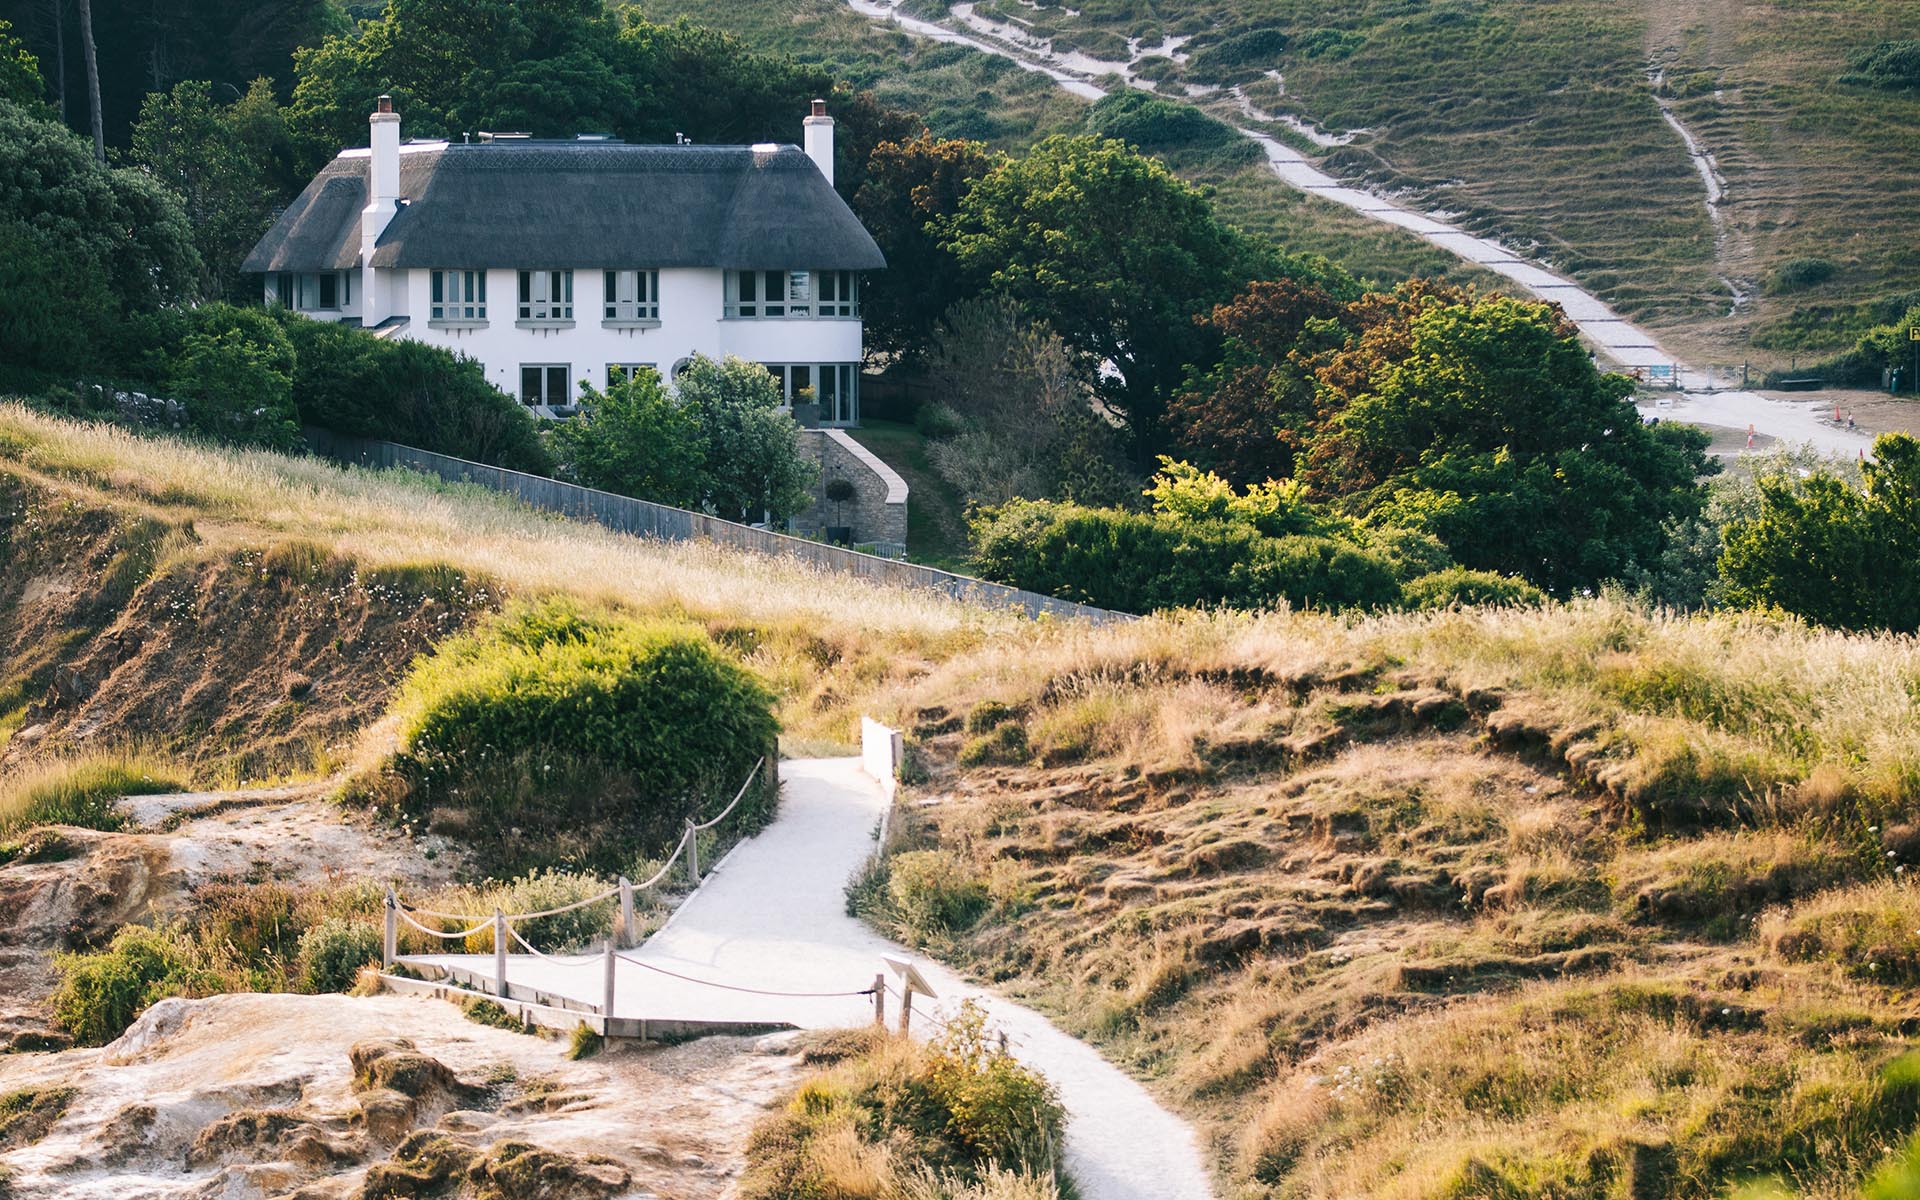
(567, 262)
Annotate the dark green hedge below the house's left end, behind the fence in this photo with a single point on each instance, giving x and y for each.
(408, 393)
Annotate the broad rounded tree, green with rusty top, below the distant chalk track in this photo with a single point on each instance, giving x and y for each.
(1487, 425)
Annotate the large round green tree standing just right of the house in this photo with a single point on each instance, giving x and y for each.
(1116, 254)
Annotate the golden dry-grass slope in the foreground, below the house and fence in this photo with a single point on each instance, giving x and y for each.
(1579, 901)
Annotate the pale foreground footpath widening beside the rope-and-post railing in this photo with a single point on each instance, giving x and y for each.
(775, 917)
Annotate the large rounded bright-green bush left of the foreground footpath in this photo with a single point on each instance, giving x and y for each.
(558, 736)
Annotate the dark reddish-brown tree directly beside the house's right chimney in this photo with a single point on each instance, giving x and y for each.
(911, 189)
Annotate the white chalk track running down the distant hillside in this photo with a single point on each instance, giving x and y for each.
(1618, 339)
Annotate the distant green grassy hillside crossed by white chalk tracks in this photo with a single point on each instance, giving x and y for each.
(1533, 122)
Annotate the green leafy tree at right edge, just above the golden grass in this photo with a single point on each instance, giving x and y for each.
(1835, 554)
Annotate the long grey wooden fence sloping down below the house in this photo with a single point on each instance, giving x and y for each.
(679, 525)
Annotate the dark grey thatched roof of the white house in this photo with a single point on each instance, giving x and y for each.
(577, 204)
